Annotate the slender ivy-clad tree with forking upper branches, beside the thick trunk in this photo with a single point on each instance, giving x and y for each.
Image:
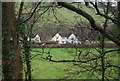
(27, 25)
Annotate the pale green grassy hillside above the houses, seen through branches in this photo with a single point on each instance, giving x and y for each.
(59, 16)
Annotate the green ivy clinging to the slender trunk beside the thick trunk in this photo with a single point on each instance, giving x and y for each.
(24, 33)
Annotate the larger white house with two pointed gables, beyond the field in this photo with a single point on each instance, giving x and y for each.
(64, 39)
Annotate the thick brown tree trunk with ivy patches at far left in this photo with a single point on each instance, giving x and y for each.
(11, 58)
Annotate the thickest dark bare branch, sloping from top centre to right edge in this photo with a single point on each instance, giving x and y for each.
(91, 20)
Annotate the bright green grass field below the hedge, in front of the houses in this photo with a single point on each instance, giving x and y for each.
(44, 69)
